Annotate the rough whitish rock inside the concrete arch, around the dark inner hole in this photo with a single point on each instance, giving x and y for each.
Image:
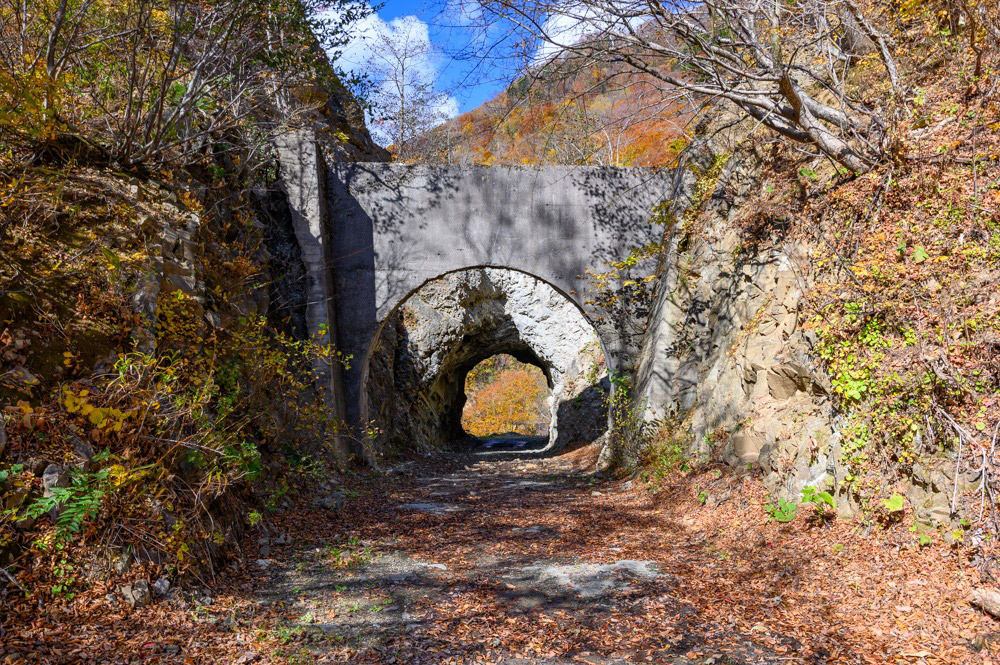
(426, 348)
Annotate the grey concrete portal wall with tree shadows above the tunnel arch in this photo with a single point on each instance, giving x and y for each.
(371, 233)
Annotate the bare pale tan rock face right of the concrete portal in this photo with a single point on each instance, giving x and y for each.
(725, 352)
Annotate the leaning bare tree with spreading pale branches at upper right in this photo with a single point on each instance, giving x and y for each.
(746, 52)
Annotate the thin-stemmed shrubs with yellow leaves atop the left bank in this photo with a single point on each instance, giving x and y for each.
(153, 82)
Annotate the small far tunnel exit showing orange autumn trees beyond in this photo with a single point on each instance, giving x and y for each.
(507, 403)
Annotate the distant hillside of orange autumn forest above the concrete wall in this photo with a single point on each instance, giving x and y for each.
(565, 115)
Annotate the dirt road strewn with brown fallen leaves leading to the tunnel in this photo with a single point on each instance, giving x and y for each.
(492, 559)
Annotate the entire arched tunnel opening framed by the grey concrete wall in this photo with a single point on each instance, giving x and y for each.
(423, 388)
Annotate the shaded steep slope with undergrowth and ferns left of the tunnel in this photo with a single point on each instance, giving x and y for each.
(154, 359)
